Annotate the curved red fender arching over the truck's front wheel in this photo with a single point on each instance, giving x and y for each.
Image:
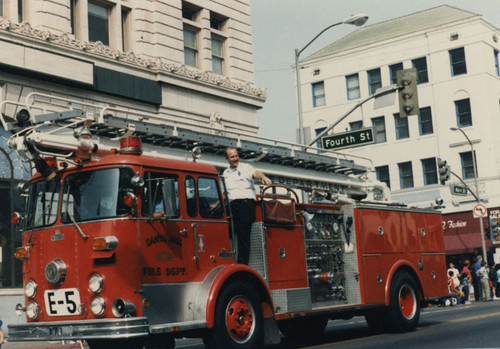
(219, 282)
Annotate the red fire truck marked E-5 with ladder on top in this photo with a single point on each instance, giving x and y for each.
(121, 248)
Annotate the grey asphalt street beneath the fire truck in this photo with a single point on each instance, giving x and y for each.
(461, 326)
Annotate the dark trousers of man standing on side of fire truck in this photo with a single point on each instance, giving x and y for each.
(243, 215)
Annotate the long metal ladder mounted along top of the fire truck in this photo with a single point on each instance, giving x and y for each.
(52, 125)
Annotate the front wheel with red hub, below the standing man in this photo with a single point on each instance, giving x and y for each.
(238, 319)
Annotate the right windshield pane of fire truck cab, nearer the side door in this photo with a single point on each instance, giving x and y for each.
(98, 194)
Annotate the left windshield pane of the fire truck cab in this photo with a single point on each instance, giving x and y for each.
(43, 203)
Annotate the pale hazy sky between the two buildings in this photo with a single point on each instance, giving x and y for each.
(281, 26)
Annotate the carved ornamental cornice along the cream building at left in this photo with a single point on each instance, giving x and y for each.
(156, 65)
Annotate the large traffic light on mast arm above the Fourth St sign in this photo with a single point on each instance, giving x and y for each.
(408, 96)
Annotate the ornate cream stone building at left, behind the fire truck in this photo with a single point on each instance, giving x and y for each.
(180, 60)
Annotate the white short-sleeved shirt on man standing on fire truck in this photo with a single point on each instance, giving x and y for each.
(239, 182)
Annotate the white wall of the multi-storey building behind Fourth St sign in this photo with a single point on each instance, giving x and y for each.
(480, 84)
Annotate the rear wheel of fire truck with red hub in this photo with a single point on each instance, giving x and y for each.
(404, 303)
